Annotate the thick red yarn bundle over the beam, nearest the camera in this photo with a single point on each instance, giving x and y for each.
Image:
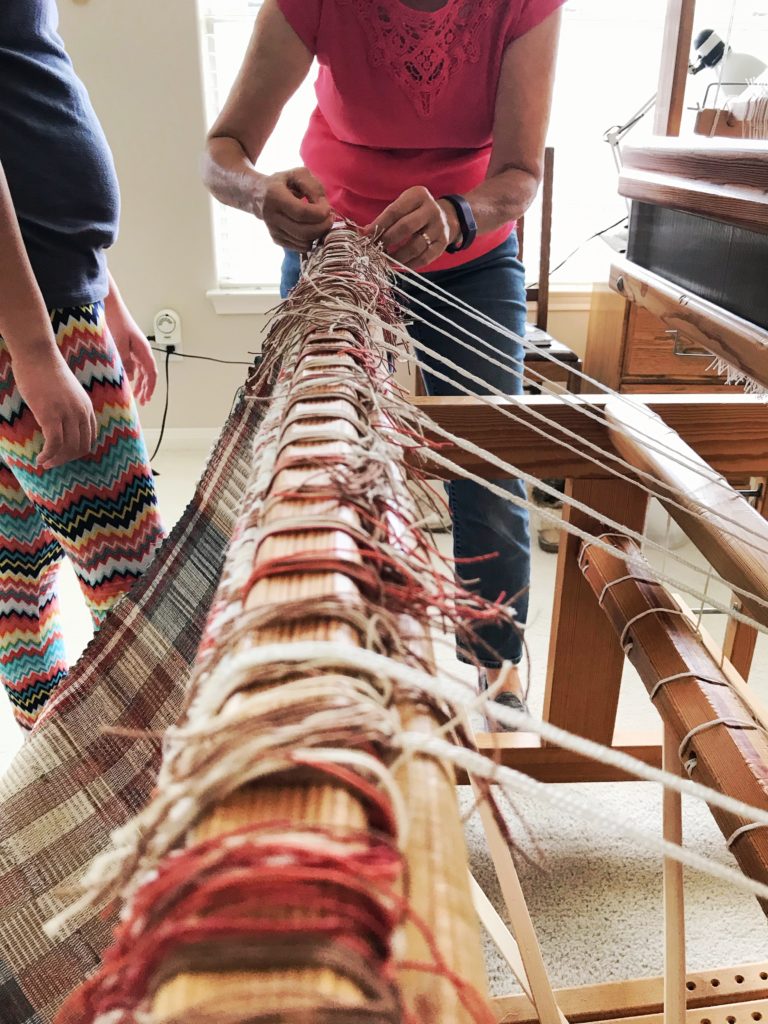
(315, 885)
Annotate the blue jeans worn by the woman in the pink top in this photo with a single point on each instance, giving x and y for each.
(494, 284)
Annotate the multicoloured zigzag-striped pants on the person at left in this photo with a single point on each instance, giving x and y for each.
(101, 511)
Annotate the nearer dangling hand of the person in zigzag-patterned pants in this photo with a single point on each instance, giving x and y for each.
(58, 402)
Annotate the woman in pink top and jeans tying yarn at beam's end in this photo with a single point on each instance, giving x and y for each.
(430, 131)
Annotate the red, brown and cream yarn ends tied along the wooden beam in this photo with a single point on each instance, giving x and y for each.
(282, 720)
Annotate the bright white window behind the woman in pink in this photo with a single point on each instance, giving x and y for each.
(608, 69)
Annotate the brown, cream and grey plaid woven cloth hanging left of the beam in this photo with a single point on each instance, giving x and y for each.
(72, 784)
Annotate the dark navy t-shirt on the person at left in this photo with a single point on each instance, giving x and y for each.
(59, 165)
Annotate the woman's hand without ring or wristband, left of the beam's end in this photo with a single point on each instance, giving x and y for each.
(295, 209)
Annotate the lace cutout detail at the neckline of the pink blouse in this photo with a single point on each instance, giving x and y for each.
(422, 51)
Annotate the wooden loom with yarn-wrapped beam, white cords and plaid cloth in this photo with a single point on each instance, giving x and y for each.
(303, 856)
